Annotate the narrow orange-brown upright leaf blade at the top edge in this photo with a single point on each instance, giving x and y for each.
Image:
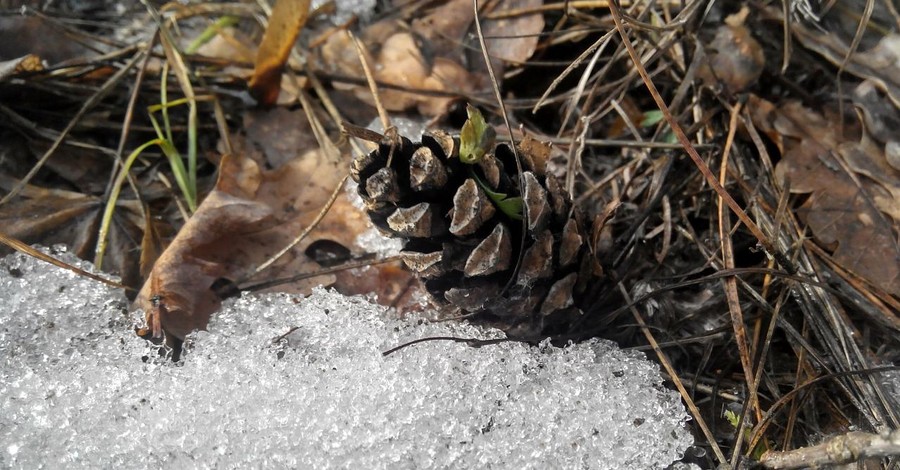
(287, 19)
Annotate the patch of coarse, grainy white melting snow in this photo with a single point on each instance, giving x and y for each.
(279, 381)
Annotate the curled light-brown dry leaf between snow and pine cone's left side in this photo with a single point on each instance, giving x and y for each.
(247, 218)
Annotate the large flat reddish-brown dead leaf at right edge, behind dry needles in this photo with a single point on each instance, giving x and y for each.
(858, 222)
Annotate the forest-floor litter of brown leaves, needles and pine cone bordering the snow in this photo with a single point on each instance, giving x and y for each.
(768, 287)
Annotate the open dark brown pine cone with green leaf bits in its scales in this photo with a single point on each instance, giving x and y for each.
(462, 225)
